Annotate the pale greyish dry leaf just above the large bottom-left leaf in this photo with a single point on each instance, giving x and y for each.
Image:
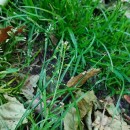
(29, 85)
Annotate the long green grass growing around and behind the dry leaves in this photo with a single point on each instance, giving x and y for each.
(96, 36)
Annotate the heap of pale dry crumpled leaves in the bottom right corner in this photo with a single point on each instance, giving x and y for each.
(89, 106)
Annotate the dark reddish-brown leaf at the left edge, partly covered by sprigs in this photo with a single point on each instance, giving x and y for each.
(4, 32)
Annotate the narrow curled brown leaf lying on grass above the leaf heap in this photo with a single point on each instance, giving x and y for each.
(80, 79)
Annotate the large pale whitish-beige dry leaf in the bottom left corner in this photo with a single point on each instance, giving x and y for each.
(10, 113)
